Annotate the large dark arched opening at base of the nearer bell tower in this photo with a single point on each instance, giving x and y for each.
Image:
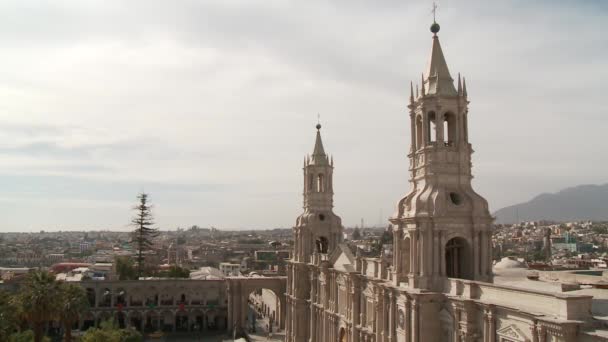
(458, 259)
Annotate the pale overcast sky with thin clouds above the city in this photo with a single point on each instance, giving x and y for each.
(210, 106)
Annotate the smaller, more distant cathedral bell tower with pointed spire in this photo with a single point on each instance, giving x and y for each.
(318, 229)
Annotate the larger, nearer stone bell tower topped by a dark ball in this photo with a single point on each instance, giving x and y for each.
(442, 227)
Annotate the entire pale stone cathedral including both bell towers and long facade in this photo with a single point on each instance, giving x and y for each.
(438, 285)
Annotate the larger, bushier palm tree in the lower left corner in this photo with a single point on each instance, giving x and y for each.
(39, 300)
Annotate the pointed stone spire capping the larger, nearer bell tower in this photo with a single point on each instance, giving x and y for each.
(437, 79)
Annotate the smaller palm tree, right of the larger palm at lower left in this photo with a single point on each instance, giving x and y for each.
(74, 302)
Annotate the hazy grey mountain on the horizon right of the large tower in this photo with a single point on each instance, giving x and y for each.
(583, 202)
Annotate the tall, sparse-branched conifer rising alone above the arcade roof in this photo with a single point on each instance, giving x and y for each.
(144, 232)
